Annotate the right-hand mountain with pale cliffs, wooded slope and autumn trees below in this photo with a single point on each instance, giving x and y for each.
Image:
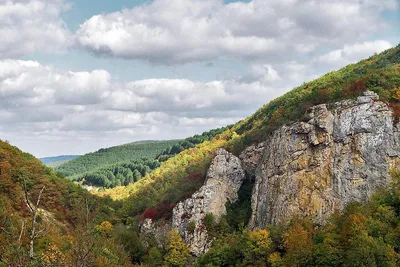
(306, 156)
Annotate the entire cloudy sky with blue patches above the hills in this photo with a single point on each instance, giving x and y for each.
(80, 75)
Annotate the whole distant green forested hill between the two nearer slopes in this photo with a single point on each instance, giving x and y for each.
(117, 170)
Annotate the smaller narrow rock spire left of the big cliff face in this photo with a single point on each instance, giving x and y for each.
(224, 178)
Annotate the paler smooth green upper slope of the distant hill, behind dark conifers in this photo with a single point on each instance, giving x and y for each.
(113, 155)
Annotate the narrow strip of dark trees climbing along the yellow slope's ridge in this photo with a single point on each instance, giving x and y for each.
(190, 142)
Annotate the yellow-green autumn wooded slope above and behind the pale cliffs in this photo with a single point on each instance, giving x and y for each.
(183, 174)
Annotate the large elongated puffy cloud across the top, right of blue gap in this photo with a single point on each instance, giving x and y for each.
(178, 31)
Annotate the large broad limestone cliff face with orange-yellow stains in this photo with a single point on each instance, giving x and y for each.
(343, 153)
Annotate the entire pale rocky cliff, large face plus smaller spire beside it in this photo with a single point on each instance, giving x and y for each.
(343, 152)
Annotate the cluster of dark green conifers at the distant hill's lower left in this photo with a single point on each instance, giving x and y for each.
(119, 174)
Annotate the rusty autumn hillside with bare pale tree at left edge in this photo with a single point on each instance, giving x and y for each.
(65, 217)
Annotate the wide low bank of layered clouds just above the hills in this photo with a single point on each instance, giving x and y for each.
(40, 104)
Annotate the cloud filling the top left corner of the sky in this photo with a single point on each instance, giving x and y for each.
(28, 26)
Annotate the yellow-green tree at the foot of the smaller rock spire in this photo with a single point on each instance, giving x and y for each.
(177, 251)
